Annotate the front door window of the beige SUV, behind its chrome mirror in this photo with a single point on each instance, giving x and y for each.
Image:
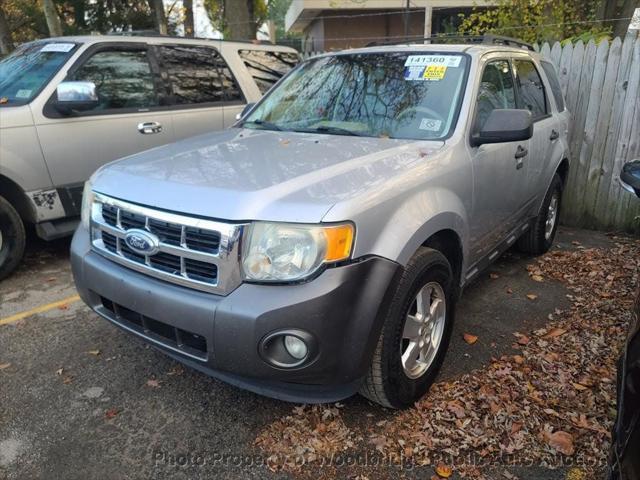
(123, 79)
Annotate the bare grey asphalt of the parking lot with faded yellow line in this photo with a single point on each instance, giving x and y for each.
(81, 399)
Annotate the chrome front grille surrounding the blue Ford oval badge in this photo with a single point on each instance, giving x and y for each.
(196, 253)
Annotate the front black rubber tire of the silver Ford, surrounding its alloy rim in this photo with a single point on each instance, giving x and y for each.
(386, 382)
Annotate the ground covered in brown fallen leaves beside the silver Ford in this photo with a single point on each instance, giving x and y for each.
(551, 403)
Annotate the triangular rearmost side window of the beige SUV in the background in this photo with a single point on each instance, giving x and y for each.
(268, 67)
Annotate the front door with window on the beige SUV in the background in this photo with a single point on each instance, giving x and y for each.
(75, 146)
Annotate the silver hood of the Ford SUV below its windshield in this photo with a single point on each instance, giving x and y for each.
(244, 174)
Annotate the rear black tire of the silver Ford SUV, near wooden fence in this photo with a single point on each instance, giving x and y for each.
(535, 240)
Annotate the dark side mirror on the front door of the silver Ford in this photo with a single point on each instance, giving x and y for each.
(505, 125)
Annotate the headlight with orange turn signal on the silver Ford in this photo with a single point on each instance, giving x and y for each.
(284, 252)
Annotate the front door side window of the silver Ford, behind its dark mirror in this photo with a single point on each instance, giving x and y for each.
(496, 91)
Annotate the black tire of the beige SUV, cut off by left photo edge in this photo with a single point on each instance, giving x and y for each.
(13, 238)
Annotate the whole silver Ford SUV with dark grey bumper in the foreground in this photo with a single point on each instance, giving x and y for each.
(319, 246)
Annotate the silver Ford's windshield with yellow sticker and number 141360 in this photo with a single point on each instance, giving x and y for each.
(396, 95)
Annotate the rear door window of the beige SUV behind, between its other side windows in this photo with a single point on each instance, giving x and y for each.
(199, 75)
